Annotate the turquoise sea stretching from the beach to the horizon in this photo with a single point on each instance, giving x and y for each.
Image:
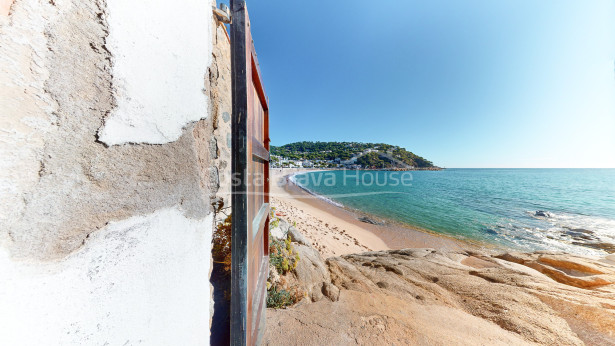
(492, 205)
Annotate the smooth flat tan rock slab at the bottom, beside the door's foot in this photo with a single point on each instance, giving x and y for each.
(364, 319)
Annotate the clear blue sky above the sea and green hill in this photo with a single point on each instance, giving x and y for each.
(474, 83)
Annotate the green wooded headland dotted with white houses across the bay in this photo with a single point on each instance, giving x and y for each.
(349, 155)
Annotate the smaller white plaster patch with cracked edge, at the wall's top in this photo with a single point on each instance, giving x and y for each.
(161, 51)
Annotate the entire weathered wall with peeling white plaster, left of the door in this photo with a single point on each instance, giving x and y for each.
(114, 155)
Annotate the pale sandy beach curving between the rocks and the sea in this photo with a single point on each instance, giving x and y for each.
(336, 231)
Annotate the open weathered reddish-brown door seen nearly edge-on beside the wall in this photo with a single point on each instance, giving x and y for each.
(250, 201)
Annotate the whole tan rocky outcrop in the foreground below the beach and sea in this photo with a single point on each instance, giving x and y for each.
(426, 296)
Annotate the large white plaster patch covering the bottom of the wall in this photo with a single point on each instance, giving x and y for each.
(140, 280)
